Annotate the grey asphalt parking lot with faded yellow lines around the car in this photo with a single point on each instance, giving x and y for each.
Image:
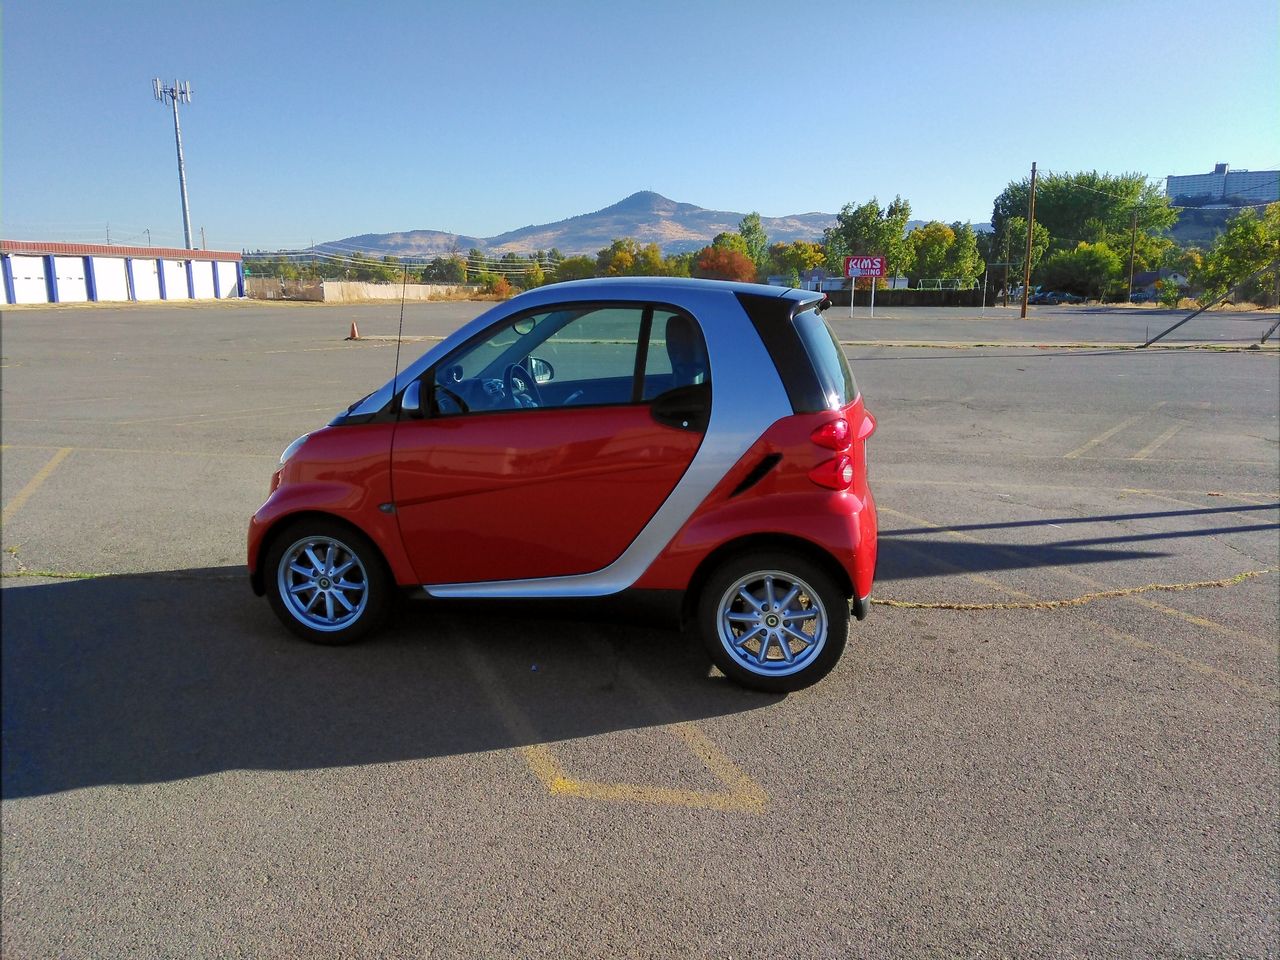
(1055, 735)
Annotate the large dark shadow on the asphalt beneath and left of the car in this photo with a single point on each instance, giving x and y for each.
(127, 680)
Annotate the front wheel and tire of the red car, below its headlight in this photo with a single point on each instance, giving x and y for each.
(327, 582)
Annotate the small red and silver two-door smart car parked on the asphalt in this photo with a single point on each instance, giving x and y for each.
(688, 441)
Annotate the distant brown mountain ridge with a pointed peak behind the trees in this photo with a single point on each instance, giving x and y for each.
(648, 217)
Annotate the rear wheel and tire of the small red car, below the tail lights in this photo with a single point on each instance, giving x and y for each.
(774, 621)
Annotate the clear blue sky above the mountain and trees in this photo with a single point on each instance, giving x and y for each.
(318, 121)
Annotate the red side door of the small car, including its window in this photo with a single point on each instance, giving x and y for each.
(510, 481)
